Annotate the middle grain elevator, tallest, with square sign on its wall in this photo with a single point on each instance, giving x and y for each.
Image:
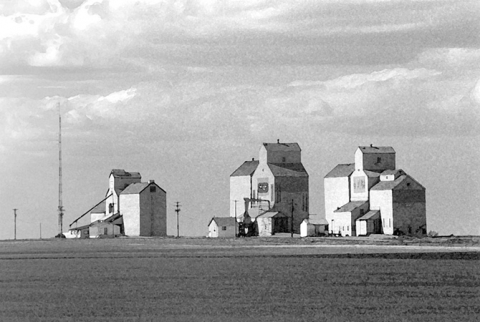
(271, 190)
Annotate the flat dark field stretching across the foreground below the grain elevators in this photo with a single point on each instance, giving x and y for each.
(237, 280)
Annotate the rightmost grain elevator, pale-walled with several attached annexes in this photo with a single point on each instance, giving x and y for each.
(371, 196)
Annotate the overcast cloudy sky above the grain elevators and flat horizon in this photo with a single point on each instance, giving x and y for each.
(185, 91)
